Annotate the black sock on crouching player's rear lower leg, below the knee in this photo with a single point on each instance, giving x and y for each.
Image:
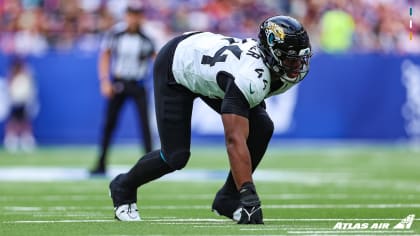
(148, 168)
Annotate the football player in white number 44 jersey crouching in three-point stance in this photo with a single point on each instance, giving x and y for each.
(233, 76)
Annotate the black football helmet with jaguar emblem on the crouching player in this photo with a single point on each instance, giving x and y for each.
(286, 48)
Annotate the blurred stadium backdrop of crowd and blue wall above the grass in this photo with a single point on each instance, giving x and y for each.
(364, 83)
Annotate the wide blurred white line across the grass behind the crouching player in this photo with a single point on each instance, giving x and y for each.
(343, 179)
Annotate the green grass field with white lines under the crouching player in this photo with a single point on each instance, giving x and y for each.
(304, 191)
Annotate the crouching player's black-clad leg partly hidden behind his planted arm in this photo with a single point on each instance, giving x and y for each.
(260, 132)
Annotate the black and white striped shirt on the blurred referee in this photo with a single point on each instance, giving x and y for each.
(130, 52)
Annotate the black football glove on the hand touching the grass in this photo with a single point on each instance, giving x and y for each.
(250, 205)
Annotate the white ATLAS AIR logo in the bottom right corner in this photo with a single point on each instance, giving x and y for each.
(403, 225)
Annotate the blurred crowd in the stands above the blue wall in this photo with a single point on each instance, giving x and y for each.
(36, 26)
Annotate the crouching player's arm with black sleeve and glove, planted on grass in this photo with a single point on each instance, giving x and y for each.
(235, 109)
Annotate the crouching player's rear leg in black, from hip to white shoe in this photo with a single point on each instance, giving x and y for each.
(173, 113)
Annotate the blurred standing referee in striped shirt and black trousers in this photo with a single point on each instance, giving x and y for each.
(123, 64)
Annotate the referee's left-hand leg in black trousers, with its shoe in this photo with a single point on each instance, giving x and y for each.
(112, 114)
